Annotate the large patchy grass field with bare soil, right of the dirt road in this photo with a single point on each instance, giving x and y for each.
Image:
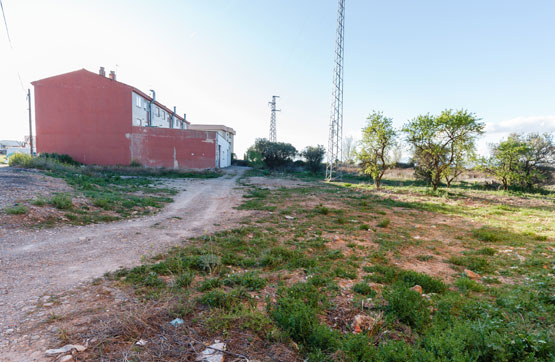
(340, 272)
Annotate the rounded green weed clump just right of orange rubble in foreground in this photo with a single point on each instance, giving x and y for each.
(407, 306)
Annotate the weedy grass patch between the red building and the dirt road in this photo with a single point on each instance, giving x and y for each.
(102, 194)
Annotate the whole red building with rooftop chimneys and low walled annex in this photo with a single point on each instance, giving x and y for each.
(98, 120)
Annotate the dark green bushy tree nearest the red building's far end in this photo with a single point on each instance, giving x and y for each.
(273, 154)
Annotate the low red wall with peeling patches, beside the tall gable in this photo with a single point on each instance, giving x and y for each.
(173, 148)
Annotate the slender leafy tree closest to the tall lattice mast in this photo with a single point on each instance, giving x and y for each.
(378, 138)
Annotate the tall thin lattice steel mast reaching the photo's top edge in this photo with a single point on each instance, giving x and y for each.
(335, 149)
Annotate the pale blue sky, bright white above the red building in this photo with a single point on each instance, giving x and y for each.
(220, 61)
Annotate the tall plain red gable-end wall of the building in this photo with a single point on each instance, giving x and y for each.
(85, 116)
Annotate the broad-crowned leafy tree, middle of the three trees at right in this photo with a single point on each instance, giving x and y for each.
(438, 141)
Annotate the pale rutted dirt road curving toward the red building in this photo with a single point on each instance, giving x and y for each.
(34, 263)
